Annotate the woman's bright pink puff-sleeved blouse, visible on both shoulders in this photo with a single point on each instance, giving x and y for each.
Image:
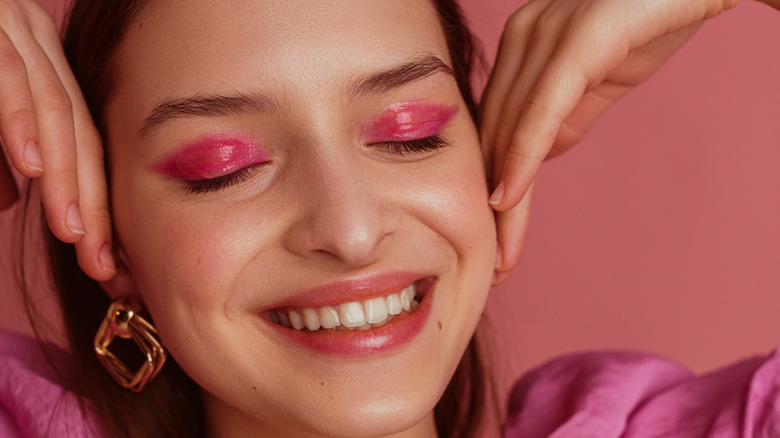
(586, 395)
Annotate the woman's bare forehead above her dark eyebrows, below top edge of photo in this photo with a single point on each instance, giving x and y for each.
(192, 45)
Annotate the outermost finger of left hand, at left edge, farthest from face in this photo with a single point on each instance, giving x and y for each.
(18, 125)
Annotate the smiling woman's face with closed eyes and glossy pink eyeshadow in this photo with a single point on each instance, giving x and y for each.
(278, 164)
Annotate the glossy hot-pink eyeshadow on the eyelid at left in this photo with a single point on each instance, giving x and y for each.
(211, 157)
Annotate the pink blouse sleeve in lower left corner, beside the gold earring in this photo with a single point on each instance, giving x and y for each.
(33, 398)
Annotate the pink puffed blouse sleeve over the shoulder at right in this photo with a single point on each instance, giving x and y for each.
(636, 395)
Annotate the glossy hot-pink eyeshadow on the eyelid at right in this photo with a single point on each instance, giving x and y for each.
(409, 121)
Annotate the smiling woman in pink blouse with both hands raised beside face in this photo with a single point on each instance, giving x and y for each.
(302, 238)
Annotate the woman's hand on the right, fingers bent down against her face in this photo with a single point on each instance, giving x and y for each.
(561, 64)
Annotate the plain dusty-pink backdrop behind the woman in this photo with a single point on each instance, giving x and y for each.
(661, 231)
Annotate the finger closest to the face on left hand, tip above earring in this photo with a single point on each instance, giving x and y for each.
(94, 251)
